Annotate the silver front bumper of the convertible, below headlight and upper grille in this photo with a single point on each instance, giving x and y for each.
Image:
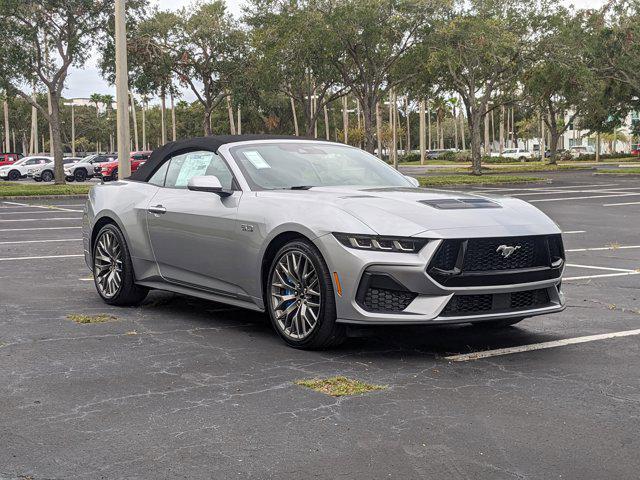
(424, 300)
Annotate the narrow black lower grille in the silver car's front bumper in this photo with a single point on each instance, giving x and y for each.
(461, 305)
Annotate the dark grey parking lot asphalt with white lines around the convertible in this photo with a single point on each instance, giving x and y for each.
(184, 388)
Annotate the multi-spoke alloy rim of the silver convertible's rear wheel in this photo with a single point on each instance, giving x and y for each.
(107, 263)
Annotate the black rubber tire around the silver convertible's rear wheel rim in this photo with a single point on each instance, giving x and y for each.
(128, 293)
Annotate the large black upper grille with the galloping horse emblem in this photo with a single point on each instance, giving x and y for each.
(497, 261)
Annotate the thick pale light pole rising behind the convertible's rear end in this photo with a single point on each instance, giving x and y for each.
(122, 91)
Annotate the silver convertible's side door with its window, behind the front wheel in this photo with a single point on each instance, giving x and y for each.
(194, 234)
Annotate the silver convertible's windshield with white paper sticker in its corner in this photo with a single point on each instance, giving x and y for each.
(270, 166)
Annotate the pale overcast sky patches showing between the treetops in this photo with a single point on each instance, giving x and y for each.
(81, 83)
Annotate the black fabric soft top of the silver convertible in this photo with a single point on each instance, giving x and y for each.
(211, 143)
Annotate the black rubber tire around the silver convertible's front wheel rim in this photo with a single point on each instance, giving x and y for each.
(326, 332)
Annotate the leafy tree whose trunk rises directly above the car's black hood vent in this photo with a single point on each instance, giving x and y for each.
(480, 51)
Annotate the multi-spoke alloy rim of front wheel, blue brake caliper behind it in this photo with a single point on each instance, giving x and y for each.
(295, 295)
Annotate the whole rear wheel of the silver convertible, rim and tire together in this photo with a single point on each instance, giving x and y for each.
(112, 269)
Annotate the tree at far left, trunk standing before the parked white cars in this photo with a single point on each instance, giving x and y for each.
(39, 41)
